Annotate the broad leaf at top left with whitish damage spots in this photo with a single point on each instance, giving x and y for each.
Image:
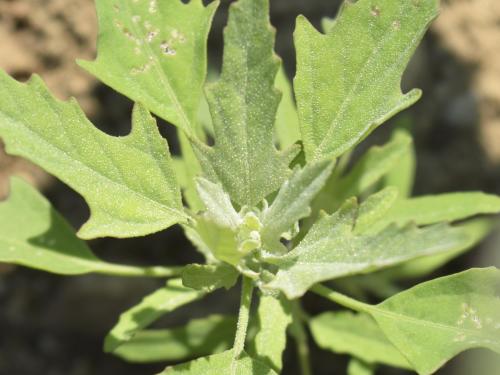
(154, 52)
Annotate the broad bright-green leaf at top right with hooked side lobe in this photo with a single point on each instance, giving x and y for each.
(348, 81)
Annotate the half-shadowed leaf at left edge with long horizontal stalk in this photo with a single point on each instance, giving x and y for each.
(33, 234)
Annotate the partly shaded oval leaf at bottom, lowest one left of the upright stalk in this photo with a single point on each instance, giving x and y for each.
(199, 337)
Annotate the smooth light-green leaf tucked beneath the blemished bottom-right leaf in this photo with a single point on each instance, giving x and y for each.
(357, 335)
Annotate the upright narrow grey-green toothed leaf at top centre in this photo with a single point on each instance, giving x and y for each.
(243, 103)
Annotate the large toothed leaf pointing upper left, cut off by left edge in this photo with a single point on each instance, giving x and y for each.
(109, 172)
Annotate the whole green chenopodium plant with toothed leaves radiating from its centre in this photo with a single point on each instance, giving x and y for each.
(274, 202)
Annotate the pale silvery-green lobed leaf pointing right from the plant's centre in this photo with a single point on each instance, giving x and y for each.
(331, 250)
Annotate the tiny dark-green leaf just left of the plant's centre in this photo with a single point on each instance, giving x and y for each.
(208, 277)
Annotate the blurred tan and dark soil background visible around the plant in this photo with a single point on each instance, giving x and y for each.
(54, 325)
